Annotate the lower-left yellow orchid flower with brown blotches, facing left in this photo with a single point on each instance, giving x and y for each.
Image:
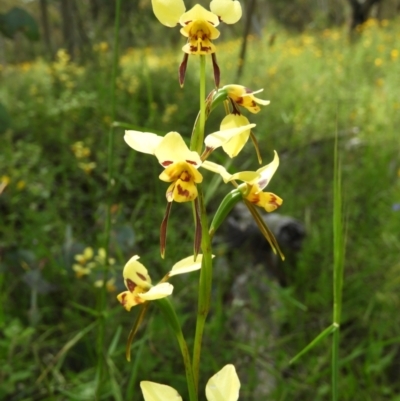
(138, 281)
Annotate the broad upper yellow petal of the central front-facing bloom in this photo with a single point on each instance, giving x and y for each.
(173, 149)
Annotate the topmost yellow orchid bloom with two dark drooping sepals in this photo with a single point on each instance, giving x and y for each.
(198, 26)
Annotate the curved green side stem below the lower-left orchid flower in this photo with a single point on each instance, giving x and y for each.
(170, 315)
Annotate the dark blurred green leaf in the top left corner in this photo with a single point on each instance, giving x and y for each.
(19, 20)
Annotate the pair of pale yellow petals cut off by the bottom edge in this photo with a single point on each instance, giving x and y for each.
(223, 386)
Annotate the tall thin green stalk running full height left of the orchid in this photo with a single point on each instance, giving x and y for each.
(107, 231)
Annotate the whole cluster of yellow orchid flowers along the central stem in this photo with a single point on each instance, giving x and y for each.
(182, 172)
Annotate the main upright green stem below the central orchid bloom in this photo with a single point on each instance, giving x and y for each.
(204, 287)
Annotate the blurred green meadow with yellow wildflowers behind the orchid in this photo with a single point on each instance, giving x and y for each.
(328, 66)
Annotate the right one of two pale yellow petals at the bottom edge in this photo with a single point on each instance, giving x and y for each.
(224, 385)
